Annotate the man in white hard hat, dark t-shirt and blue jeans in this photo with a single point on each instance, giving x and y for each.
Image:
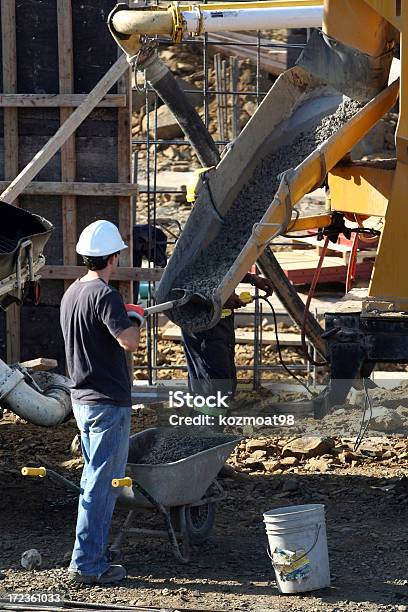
(97, 331)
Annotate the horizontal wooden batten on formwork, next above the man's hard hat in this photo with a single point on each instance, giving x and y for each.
(77, 188)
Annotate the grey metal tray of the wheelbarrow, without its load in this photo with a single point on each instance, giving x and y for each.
(173, 484)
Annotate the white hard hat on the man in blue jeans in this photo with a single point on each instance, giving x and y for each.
(99, 239)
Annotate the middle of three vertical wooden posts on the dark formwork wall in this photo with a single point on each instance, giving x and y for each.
(68, 154)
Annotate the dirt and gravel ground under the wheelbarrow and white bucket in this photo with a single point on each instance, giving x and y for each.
(367, 511)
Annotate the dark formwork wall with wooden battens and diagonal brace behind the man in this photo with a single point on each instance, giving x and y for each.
(53, 54)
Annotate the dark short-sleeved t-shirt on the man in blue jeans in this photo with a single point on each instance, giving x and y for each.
(93, 315)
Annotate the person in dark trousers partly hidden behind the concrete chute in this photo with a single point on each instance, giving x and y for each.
(210, 354)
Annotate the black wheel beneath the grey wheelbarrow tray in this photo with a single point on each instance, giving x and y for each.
(199, 521)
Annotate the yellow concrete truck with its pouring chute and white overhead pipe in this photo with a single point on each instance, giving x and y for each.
(352, 53)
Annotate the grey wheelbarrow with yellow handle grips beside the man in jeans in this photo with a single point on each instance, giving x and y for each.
(184, 492)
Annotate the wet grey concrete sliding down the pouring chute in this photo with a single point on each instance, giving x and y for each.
(206, 272)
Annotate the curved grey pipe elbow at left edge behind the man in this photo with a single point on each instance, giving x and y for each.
(47, 409)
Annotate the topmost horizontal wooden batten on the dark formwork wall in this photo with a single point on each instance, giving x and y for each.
(57, 100)
